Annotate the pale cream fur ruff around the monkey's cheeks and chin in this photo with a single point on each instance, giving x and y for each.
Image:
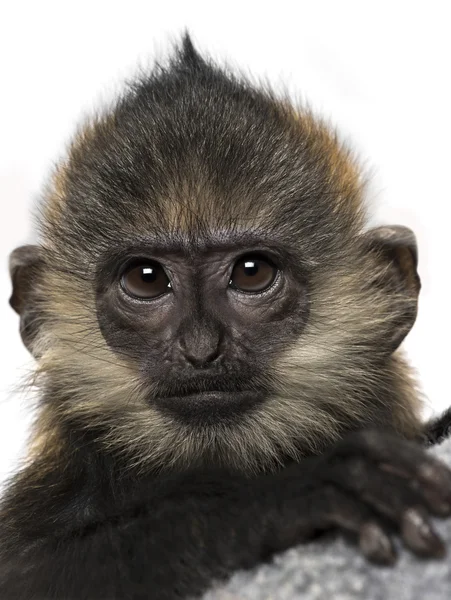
(317, 380)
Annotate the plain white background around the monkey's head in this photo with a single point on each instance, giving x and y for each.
(379, 70)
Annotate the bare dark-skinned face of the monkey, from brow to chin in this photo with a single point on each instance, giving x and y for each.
(201, 320)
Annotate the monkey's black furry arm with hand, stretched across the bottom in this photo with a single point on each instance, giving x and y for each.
(188, 530)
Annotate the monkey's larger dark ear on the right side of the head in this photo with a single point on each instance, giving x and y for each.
(396, 253)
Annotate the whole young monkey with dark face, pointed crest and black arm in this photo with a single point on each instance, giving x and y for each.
(216, 339)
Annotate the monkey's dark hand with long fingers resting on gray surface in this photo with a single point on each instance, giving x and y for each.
(370, 485)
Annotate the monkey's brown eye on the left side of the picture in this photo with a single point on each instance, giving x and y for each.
(146, 280)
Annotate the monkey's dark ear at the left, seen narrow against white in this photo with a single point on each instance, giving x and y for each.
(25, 265)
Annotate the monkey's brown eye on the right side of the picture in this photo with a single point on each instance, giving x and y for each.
(253, 273)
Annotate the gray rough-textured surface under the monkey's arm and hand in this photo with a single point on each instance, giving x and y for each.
(333, 570)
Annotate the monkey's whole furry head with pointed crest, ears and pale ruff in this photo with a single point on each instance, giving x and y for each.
(204, 289)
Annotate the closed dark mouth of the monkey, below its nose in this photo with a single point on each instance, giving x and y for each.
(211, 406)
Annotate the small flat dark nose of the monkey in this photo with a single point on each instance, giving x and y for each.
(200, 345)
